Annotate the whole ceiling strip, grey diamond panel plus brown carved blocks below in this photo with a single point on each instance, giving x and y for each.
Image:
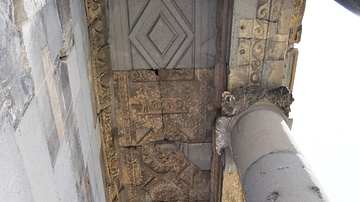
(163, 55)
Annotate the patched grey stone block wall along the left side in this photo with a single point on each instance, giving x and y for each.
(49, 139)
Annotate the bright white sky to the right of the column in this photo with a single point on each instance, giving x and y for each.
(327, 102)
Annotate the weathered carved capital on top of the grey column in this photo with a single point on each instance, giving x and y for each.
(242, 98)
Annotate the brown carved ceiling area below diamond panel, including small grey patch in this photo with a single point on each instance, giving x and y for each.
(164, 121)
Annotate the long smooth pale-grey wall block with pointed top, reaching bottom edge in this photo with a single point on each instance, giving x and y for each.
(35, 154)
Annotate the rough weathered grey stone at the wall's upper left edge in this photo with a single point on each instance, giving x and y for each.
(16, 84)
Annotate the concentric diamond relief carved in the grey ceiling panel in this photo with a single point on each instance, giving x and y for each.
(161, 35)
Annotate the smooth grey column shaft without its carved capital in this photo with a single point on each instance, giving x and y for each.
(270, 166)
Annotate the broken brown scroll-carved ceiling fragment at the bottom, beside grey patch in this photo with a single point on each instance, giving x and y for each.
(162, 172)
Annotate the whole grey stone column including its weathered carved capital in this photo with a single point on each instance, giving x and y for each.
(270, 166)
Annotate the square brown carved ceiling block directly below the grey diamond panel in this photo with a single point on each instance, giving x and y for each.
(174, 105)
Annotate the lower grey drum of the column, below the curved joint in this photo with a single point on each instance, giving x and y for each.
(281, 177)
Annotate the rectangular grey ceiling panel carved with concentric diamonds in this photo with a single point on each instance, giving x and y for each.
(163, 34)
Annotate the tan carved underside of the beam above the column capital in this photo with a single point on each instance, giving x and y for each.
(264, 43)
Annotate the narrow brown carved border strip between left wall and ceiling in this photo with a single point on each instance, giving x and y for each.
(101, 67)
